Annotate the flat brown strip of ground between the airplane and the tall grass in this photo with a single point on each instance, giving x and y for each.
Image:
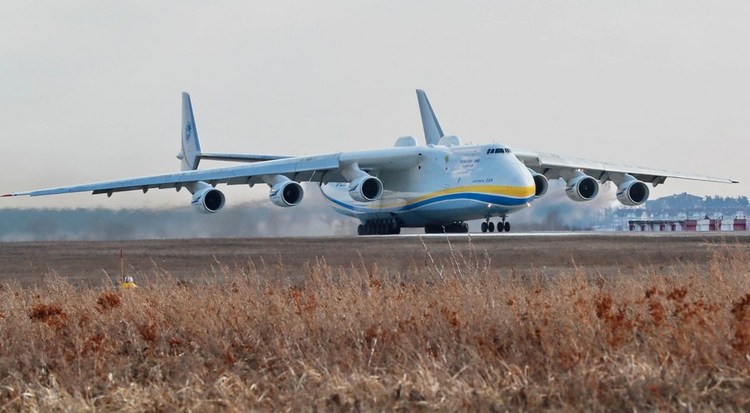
(548, 253)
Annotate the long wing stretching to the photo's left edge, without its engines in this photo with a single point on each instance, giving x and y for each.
(319, 168)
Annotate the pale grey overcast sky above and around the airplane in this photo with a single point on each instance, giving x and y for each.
(90, 90)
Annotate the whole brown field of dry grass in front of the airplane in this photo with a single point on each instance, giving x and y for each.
(449, 324)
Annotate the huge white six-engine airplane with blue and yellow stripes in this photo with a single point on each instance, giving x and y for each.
(438, 186)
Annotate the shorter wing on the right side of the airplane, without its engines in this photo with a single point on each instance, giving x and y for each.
(552, 166)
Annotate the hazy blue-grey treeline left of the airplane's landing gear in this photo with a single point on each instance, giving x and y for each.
(104, 224)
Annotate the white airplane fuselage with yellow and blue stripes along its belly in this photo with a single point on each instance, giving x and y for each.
(446, 184)
